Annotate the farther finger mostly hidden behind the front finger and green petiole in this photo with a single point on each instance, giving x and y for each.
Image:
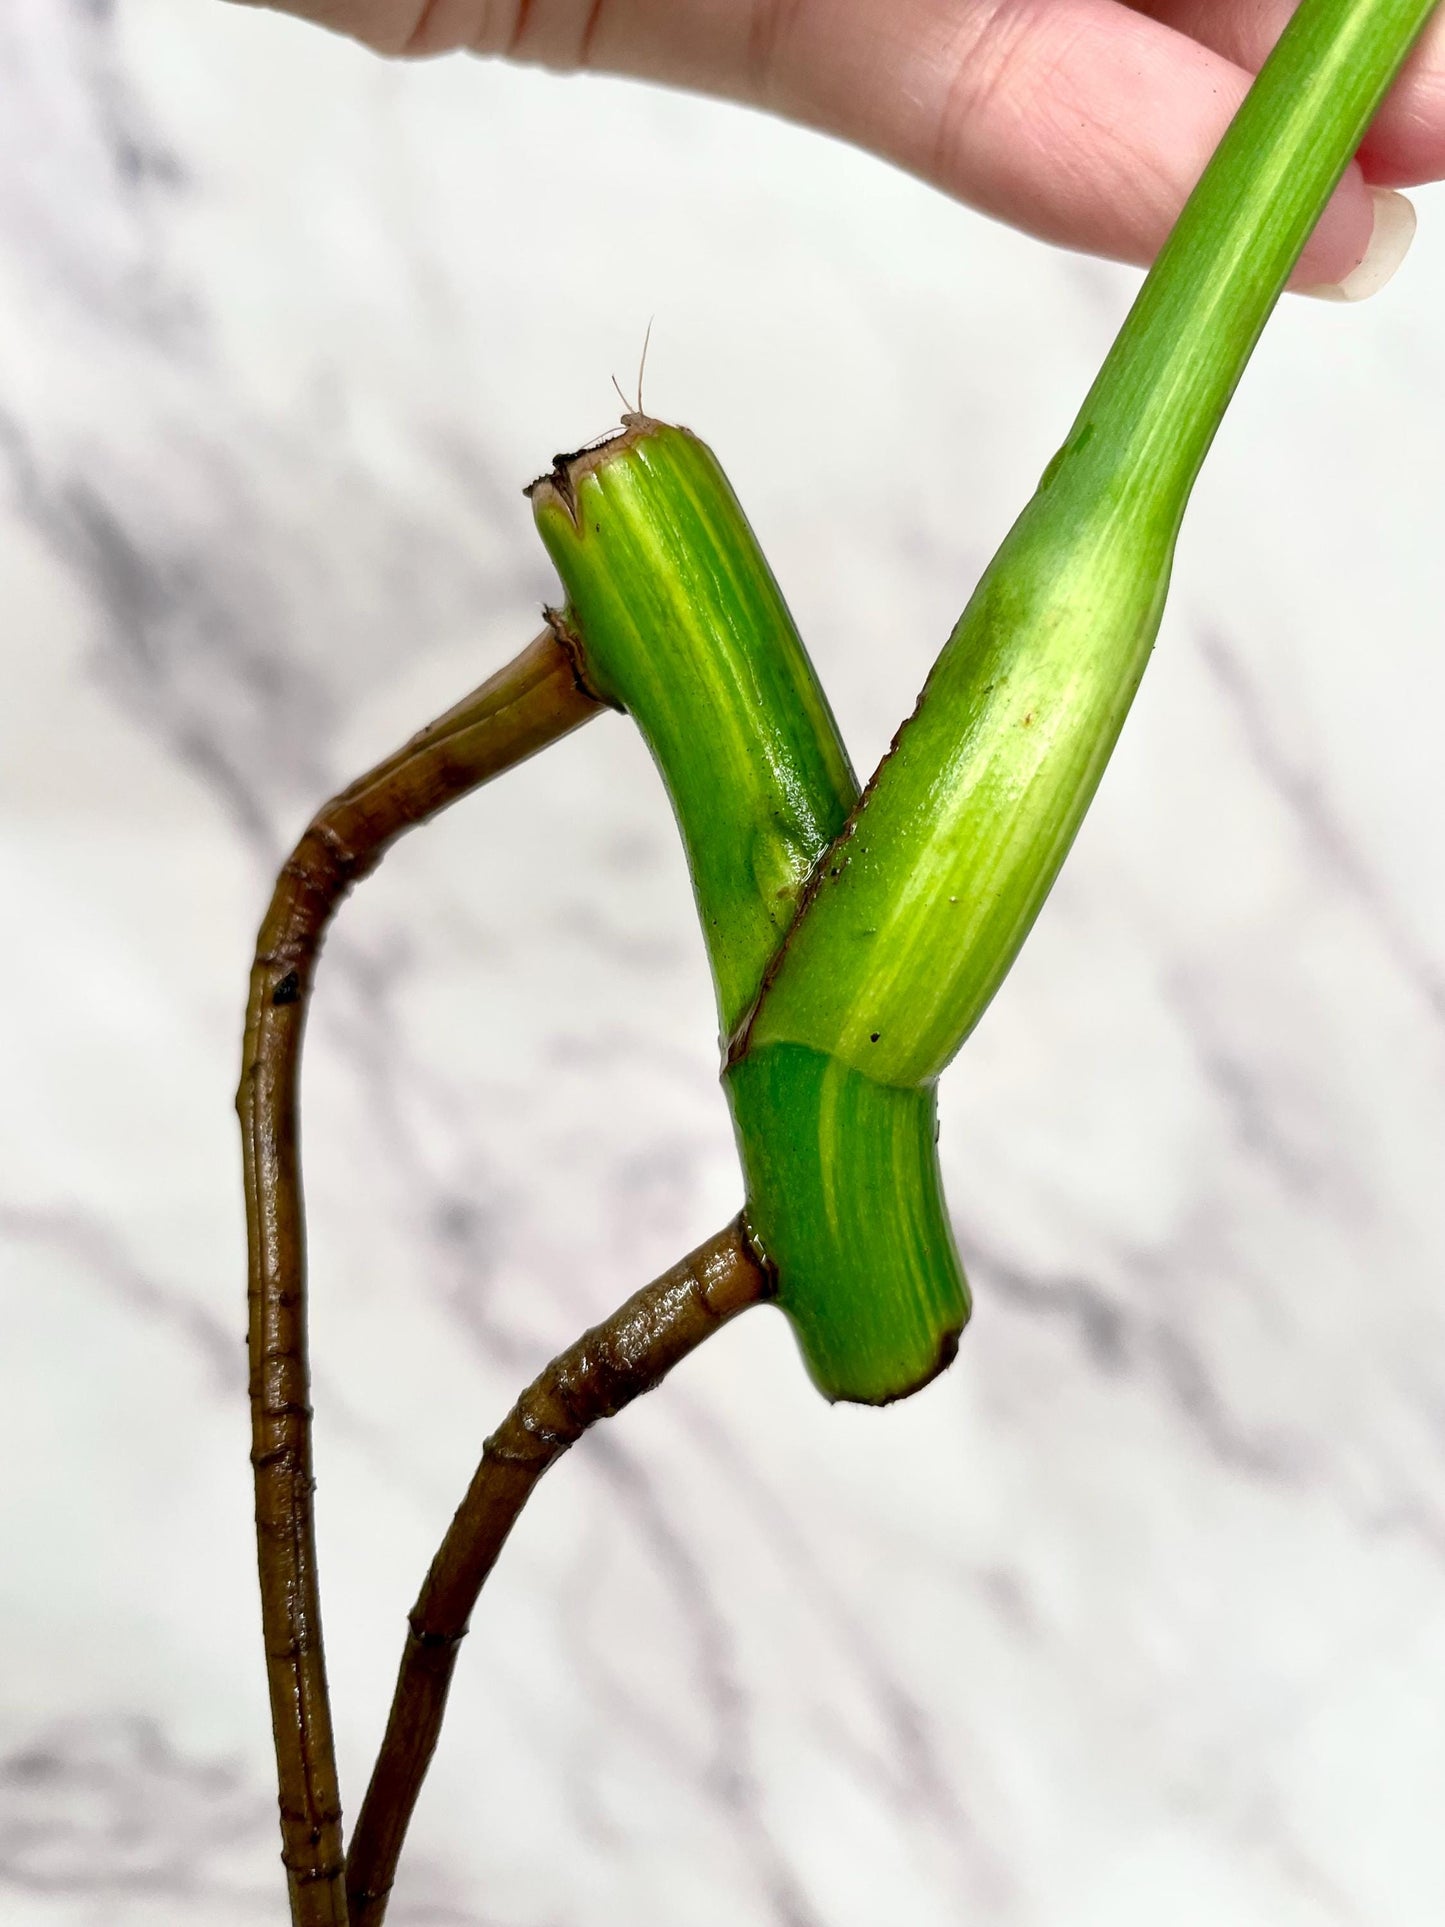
(1407, 142)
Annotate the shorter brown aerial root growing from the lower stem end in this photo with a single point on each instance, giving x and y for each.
(594, 1379)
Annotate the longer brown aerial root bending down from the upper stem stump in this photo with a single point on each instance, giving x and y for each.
(521, 710)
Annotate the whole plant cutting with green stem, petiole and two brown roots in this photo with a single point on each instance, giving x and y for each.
(854, 939)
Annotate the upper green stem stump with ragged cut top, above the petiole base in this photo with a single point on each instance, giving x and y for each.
(685, 627)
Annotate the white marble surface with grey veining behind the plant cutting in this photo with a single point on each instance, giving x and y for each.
(1140, 1614)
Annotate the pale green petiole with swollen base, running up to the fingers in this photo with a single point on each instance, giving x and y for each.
(945, 866)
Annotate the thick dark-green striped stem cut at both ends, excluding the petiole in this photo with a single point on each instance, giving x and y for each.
(677, 618)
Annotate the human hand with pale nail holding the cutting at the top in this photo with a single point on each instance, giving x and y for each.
(1084, 122)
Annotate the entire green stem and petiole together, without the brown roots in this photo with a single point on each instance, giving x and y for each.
(853, 961)
